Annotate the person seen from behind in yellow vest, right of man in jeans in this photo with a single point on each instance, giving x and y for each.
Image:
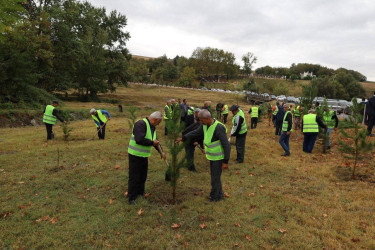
(310, 128)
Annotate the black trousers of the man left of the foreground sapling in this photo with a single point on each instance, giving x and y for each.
(138, 167)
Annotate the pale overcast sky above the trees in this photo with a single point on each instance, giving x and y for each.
(333, 33)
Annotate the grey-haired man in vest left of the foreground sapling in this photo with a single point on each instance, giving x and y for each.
(142, 140)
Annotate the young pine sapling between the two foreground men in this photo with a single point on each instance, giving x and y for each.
(174, 132)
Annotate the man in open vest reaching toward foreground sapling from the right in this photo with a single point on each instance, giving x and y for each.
(217, 149)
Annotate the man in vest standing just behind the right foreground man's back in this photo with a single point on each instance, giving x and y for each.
(239, 130)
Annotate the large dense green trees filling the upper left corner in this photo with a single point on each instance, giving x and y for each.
(59, 45)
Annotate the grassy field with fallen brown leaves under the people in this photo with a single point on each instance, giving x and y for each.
(71, 194)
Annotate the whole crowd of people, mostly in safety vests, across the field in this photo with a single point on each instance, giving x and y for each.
(208, 133)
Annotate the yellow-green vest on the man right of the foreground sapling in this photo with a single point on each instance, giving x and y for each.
(214, 150)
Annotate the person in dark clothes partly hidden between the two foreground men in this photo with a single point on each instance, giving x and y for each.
(190, 143)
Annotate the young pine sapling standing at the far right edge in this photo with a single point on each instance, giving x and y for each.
(355, 146)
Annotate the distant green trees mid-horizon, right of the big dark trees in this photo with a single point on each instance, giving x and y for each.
(204, 63)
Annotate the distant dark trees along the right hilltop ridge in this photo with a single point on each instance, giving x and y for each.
(295, 70)
